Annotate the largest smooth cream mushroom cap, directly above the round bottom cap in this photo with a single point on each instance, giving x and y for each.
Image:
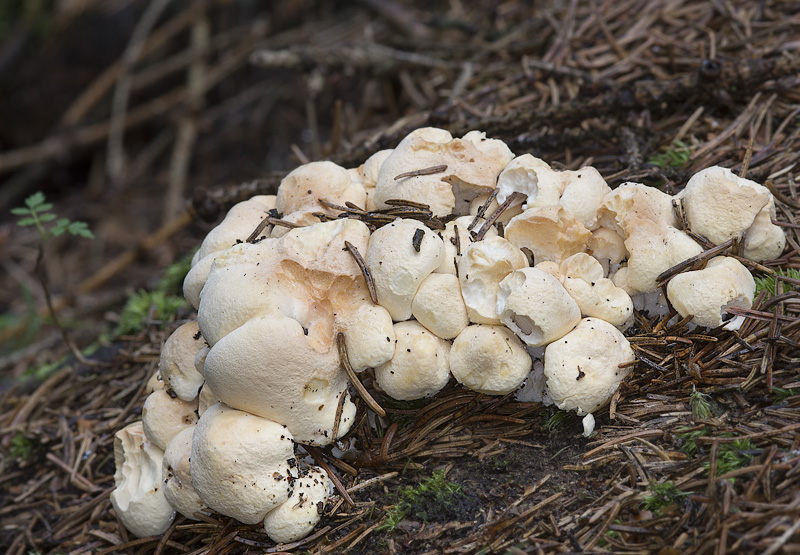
(269, 367)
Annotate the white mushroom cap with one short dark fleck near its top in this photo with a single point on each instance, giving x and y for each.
(397, 268)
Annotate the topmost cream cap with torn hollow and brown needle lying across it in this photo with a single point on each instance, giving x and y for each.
(473, 164)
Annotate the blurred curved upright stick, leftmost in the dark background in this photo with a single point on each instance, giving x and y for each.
(119, 103)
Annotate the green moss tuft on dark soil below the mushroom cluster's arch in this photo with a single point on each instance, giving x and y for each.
(433, 497)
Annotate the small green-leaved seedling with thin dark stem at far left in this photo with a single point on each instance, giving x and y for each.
(37, 212)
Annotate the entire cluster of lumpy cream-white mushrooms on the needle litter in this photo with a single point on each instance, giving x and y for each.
(444, 257)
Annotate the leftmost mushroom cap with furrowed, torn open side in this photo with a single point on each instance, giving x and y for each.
(138, 497)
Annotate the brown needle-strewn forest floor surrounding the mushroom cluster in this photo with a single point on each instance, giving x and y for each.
(149, 119)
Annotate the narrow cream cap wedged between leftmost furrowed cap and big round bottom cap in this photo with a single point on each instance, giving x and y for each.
(177, 476)
